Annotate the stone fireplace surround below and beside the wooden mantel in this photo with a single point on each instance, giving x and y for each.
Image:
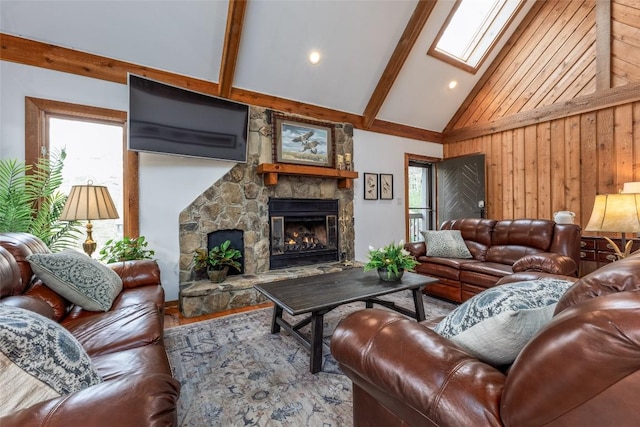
(240, 201)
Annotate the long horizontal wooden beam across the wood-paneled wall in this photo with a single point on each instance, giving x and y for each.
(584, 104)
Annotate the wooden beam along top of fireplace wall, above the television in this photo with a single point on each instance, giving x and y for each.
(37, 54)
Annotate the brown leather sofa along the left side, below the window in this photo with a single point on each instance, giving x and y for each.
(125, 345)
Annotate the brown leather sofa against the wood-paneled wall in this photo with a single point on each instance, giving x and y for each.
(499, 248)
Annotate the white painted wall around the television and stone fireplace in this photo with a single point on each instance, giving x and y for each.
(169, 183)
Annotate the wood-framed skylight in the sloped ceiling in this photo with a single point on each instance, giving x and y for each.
(471, 30)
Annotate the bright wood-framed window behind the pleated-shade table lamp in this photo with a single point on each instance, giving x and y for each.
(51, 125)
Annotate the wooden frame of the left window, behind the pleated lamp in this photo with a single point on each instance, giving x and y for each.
(37, 113)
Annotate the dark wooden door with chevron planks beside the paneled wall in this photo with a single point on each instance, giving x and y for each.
(460, 188)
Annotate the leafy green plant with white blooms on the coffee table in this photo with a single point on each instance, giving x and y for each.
(390, 261)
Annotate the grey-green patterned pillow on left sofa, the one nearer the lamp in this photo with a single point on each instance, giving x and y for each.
(80, 279)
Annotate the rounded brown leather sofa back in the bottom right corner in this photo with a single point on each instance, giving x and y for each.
(598, 385)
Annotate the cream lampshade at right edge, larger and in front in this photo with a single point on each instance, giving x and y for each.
(617, 213)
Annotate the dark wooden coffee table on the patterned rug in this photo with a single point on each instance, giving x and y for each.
(322, 293)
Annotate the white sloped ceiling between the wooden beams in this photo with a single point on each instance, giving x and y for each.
(355, 37)
